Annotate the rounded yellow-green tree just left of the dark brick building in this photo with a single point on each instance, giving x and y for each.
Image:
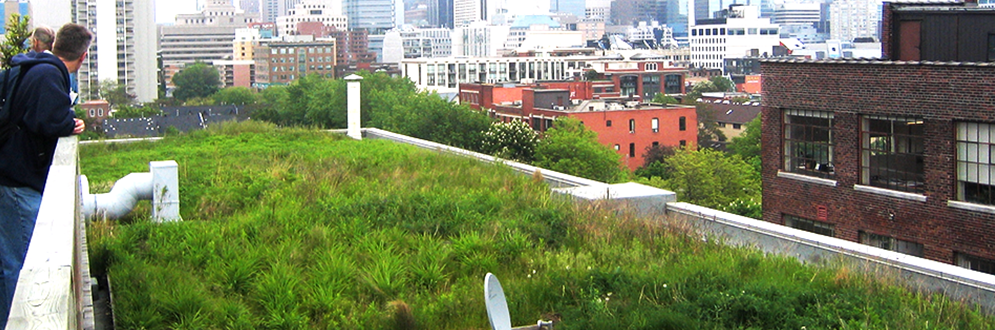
(709, 178)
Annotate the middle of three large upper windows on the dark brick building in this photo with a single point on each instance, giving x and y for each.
(892, 153)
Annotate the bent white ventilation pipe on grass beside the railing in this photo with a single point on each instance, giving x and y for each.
(161, 185)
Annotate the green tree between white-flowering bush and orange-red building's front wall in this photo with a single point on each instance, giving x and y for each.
(571, 148)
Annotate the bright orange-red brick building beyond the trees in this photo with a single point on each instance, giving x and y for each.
(625, 124)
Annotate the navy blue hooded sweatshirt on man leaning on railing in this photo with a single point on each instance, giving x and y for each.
(43, 94)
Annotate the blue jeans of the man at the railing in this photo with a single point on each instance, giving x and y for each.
(18, 211)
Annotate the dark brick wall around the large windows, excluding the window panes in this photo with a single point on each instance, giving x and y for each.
(942, 94)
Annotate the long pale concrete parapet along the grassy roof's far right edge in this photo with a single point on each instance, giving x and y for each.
(916, 273)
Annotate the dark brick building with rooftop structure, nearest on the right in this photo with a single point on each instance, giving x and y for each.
(894, 154)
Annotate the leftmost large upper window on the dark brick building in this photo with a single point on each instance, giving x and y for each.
(808, 143)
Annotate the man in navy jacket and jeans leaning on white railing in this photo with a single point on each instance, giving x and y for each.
(43, 94)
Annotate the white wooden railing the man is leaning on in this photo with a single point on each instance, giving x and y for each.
(53, 290)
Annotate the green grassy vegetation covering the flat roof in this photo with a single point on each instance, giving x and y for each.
(297, 229)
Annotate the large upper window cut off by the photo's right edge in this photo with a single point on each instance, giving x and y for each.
(975, 163)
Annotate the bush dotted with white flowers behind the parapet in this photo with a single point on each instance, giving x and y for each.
(515, 140)
